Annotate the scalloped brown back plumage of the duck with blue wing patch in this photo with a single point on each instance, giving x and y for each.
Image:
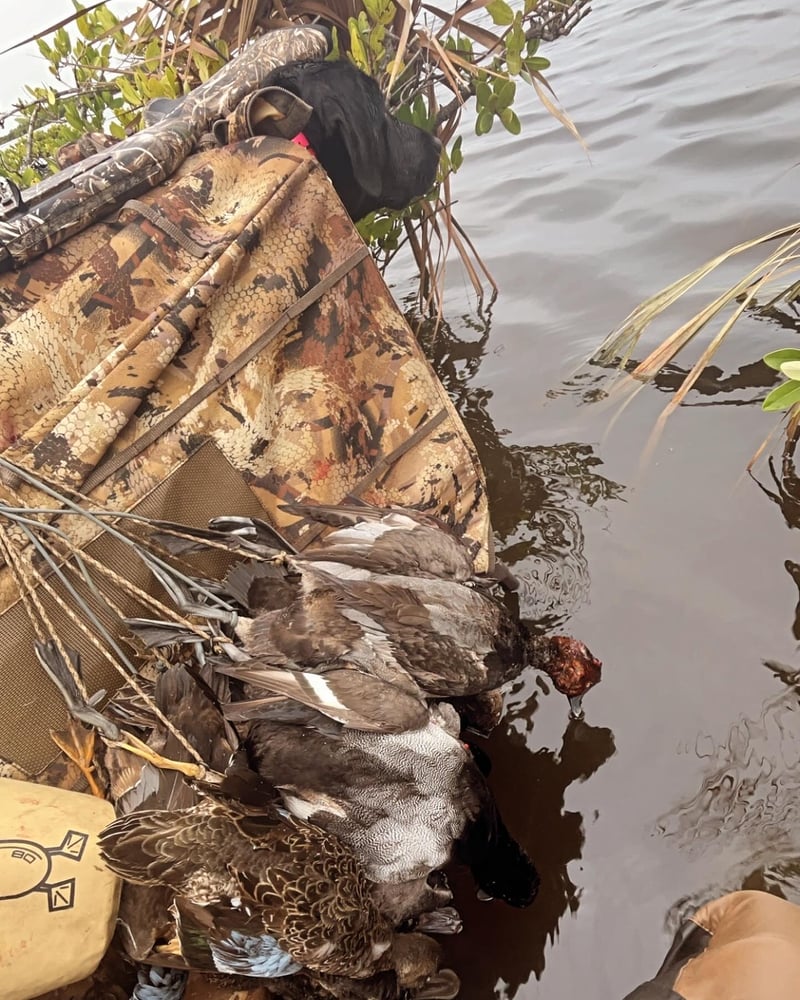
(303, 884)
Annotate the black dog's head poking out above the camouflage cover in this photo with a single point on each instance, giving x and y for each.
(373, 160)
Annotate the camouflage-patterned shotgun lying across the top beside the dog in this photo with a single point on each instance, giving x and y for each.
(81, 194)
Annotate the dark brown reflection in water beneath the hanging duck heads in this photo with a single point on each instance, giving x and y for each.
(532, 801)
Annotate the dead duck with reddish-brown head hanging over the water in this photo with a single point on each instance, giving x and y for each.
(446, 639)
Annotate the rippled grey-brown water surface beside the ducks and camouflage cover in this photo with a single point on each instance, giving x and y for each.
(682, 575)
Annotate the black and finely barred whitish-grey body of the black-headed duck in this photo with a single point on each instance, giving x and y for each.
(399, 801)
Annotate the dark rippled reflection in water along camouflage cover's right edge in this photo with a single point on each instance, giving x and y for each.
(537, 493)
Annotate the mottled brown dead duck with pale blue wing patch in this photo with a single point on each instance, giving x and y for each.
(262, 894)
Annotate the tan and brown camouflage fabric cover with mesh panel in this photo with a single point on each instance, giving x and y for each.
(222, 344)
